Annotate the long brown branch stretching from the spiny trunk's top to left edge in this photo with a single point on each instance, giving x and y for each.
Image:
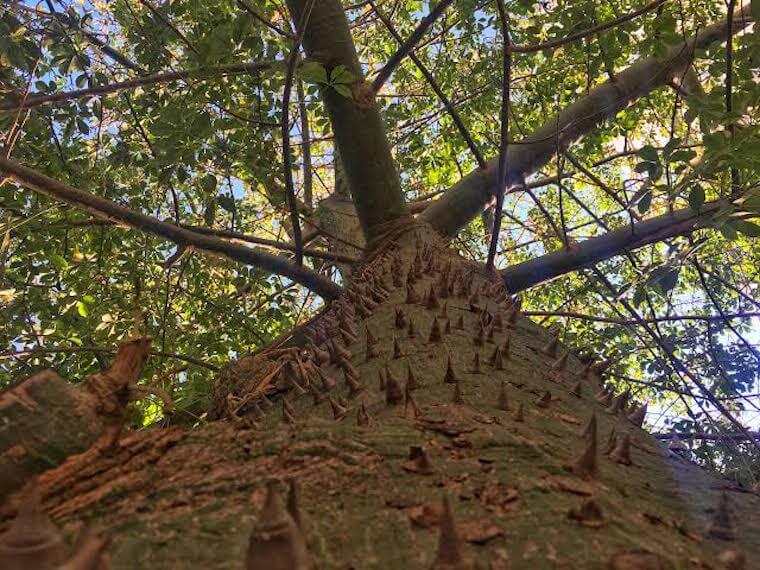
(104, 208)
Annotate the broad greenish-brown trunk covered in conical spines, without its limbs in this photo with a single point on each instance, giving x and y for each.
(189, 499)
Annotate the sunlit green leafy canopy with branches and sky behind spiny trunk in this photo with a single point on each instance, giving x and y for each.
(631, 178)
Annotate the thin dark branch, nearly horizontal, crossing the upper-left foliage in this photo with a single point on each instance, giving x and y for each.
(37, 99)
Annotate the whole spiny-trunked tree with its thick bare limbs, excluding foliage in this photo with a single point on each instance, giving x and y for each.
(420, 420)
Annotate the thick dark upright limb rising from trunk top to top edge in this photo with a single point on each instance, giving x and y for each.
(359, 130)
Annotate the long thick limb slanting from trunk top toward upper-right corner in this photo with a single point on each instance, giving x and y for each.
(466, 199)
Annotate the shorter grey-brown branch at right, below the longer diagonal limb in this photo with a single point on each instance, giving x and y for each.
(586, 253)
